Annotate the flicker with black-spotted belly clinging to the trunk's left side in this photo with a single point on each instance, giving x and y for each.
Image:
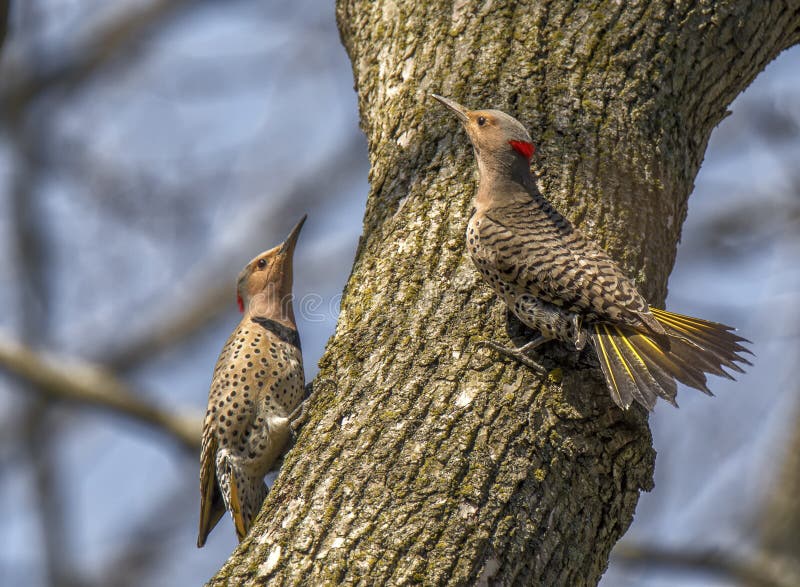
(256, 390)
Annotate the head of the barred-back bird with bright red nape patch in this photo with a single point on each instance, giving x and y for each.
(500, 141)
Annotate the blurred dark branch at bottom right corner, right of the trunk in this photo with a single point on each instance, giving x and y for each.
(753, 571)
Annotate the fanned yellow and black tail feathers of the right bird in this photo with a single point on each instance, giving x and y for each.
(638, 367)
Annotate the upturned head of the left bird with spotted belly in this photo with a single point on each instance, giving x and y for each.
(264, 286)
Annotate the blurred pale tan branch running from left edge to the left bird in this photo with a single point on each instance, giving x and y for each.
(62, 379)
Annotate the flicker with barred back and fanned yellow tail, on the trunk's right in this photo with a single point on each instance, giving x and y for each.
(562, 285)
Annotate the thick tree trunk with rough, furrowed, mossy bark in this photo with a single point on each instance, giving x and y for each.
(427, 459)
